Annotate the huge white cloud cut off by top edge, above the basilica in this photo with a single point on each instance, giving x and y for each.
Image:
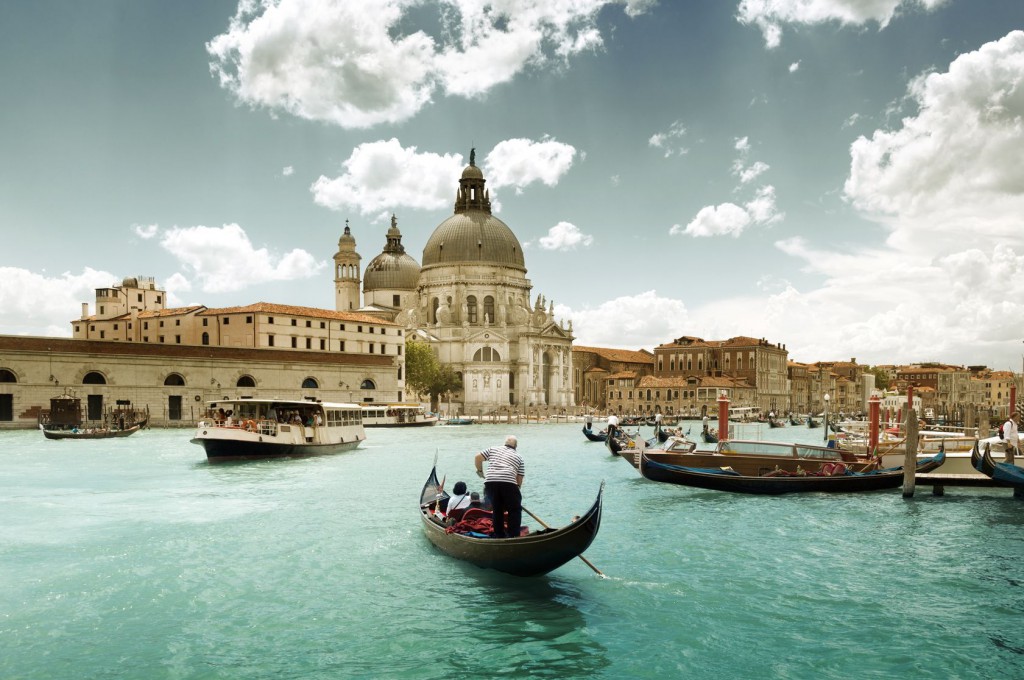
(362, 63)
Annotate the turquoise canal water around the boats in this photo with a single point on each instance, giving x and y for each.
(135, 559)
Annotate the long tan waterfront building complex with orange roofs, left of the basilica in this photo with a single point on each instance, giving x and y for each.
(172, 361)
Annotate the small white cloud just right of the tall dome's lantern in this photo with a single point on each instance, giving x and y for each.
(521, 162)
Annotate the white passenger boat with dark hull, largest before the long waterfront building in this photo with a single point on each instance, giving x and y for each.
(249, 430)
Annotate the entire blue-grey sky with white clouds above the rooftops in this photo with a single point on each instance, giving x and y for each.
(844, 178)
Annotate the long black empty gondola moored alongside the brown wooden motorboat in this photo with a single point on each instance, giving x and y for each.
(726, 480)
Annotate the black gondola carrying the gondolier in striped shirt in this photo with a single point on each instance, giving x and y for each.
(531, 556)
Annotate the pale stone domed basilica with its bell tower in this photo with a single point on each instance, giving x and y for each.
(471, 300)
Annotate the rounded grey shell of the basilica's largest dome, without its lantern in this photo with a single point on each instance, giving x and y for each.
(474, 238)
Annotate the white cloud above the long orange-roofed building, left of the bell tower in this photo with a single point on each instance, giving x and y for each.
(224, 260)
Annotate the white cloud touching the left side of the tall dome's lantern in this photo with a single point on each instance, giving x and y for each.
(383, 176)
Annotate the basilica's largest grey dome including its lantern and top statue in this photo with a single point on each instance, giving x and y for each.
(473, 235)
